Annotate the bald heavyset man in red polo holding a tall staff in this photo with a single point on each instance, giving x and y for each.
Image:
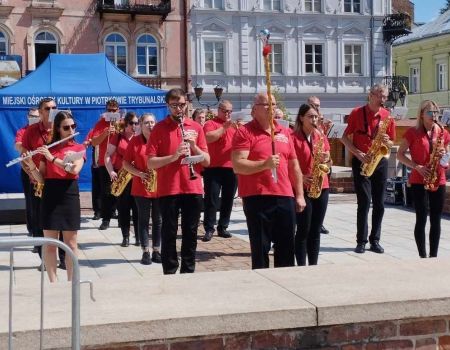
(269, 204)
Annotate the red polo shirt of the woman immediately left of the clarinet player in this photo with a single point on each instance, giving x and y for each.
(136, 153)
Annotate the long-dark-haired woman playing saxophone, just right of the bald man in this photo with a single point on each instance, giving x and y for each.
(308, 137)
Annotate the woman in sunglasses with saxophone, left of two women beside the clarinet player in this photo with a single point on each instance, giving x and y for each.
(114, 156)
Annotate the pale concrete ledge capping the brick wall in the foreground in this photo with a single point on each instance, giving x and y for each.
(210, 304)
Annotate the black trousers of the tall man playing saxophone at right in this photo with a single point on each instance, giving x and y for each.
(368, 189)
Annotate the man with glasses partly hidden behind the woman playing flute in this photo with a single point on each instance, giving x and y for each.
(35, 136)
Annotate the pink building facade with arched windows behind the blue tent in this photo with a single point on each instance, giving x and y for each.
(143, 38)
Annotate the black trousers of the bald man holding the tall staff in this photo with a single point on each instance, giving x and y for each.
(270, 219)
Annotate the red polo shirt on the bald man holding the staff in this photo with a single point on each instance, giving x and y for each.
(258, 142)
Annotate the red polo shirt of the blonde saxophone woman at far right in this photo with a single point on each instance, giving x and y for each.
(419, 148)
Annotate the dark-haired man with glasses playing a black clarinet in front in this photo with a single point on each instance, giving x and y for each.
(172, 139)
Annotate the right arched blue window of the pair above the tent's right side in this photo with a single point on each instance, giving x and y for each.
(147, 55)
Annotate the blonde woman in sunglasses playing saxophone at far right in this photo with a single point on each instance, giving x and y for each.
(421, 140)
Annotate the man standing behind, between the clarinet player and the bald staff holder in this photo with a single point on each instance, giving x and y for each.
(219, 177)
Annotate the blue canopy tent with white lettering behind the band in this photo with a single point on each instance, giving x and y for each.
(82, 83)
